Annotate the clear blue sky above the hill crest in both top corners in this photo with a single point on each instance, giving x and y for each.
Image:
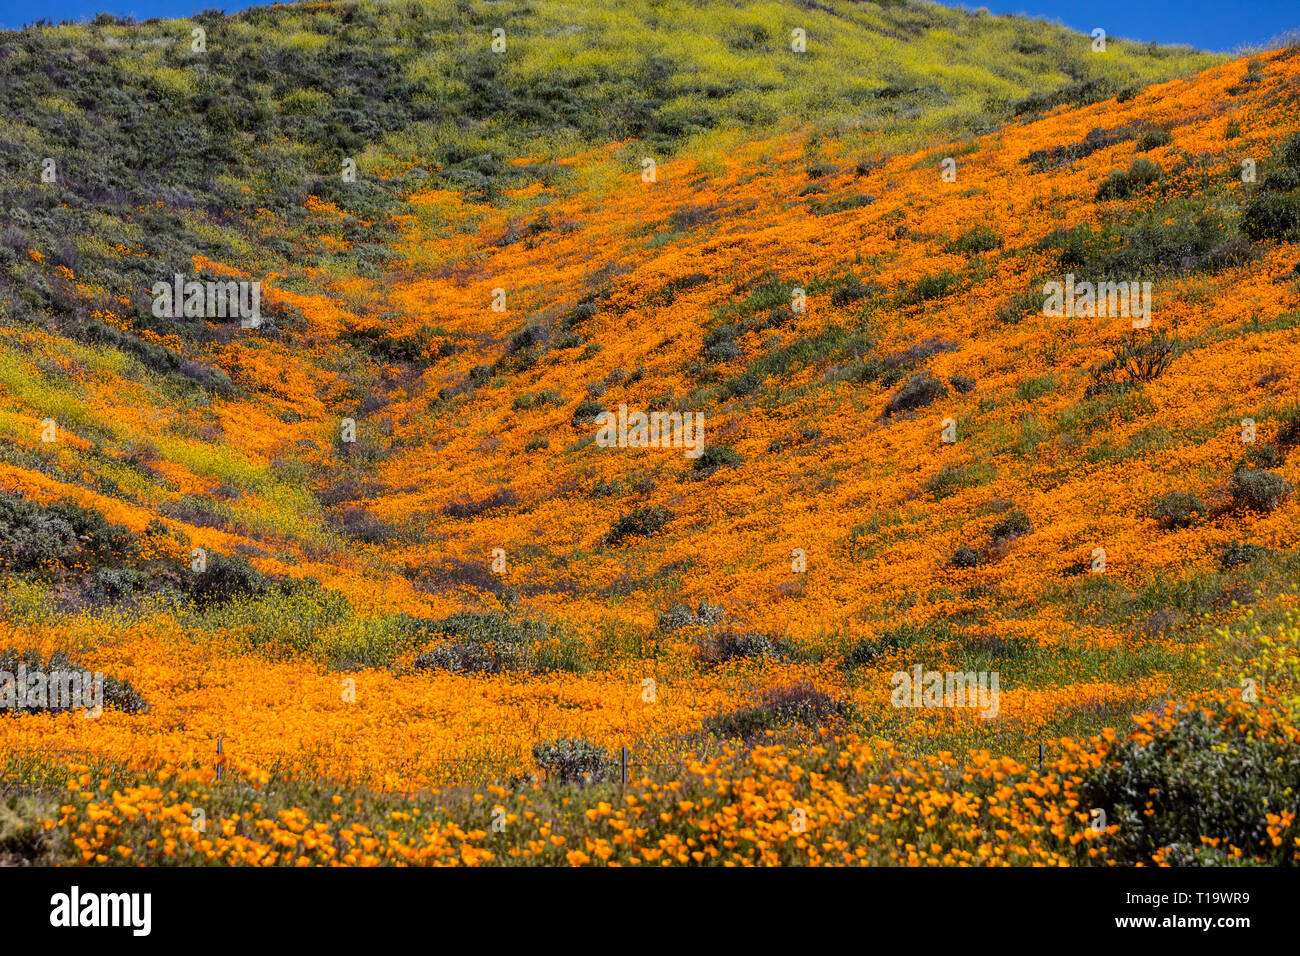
(1219, 25)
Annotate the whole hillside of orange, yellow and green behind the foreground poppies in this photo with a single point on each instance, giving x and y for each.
(418, 565)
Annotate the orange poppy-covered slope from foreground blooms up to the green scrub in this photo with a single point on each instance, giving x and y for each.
(907, 462)
